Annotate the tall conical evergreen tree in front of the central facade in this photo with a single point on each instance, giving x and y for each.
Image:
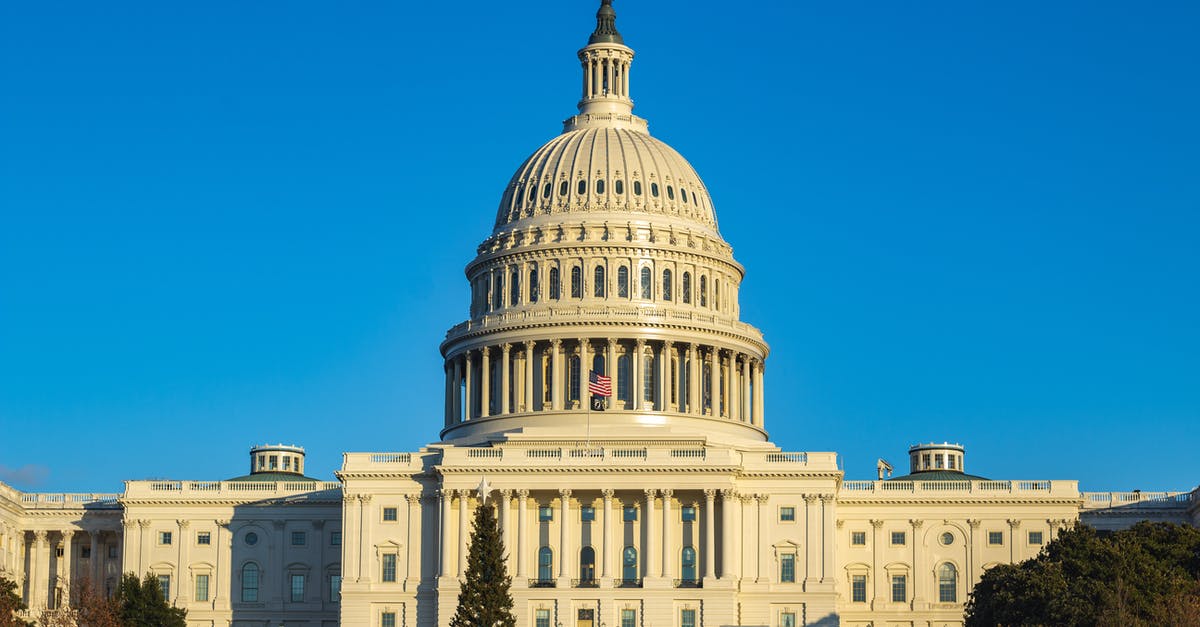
(485, 600)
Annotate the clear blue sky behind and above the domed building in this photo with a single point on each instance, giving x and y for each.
(224, 224)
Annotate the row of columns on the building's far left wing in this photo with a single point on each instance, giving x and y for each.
(47, 572)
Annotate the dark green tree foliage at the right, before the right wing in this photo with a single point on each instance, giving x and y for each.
(1145, 576)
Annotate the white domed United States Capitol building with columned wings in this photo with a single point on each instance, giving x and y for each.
(665, 506)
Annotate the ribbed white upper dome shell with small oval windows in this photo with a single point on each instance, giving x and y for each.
(605, 170)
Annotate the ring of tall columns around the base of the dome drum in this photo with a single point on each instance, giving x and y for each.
(691, 378)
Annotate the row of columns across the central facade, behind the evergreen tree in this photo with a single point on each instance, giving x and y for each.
(743, 515)
